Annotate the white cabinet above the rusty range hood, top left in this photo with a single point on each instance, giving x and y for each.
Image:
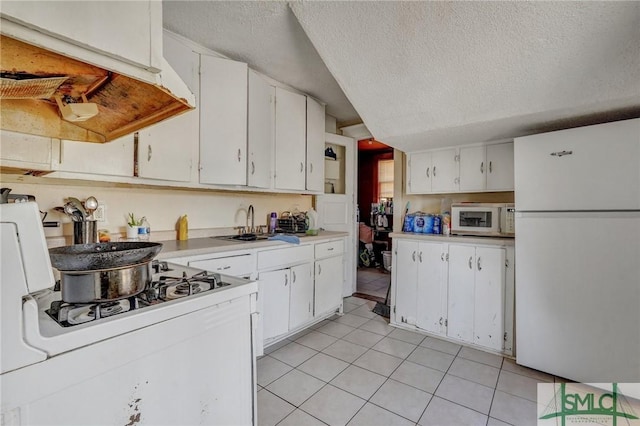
(130, 31)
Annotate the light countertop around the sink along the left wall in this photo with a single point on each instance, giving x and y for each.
(206, 245)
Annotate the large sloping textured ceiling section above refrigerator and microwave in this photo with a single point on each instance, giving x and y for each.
(428, 74)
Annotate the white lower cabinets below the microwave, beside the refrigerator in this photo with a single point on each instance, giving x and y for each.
(463, 291)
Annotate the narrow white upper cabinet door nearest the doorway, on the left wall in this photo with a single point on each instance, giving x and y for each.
(315, 145)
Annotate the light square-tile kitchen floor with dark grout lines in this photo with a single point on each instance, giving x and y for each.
(355, 369)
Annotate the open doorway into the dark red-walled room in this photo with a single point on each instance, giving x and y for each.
(375, 204)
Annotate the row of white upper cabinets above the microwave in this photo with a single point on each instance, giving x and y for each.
(470, 168)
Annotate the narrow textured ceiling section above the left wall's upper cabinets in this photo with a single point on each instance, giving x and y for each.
(267, 36)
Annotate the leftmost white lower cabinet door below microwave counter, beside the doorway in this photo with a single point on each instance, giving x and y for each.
(405, 272)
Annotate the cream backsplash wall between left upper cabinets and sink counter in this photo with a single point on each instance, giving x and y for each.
(206, 210)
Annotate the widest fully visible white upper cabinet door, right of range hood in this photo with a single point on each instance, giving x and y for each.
(223, 121)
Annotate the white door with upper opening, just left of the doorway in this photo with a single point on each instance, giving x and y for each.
(336, 212)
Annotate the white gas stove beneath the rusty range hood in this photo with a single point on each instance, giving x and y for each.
(189, 334)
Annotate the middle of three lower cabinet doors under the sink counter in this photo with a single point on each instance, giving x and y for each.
(301, 295)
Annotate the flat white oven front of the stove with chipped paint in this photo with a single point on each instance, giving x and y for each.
(192, 369)
